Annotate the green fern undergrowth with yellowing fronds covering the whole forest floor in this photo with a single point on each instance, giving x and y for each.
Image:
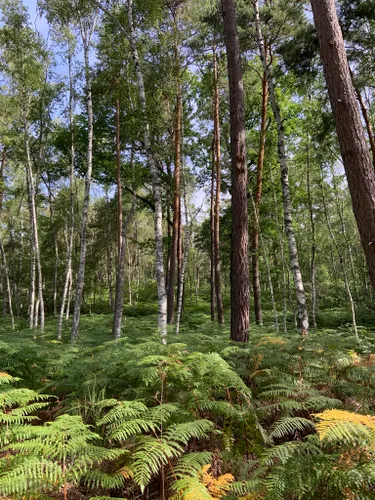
(279, 418)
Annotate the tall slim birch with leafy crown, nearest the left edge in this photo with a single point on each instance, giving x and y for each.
(24, 60)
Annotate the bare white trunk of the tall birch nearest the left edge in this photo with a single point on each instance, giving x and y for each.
(35, 252)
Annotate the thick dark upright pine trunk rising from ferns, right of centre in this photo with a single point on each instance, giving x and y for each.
(240, 286)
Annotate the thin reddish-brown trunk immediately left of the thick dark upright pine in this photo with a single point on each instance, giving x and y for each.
(217, 156)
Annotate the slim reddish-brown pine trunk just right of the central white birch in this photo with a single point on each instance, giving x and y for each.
(176, 196)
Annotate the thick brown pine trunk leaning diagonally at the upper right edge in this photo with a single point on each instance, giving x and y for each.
(356, 158)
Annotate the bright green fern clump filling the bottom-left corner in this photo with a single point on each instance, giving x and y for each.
(54, 455)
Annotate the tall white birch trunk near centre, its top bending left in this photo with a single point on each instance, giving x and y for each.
(159, 265)
